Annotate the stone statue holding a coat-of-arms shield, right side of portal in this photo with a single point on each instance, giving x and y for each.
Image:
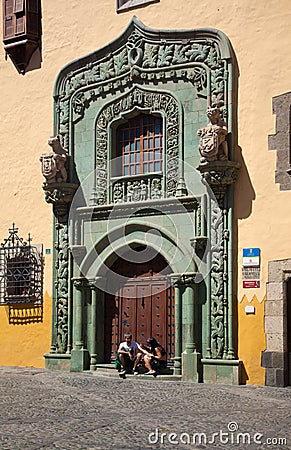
(213, 145)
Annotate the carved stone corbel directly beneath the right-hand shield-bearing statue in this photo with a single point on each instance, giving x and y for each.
(218, 175)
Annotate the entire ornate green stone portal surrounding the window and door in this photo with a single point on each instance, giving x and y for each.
(175, 75)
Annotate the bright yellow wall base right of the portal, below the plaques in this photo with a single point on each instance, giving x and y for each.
(251, 340)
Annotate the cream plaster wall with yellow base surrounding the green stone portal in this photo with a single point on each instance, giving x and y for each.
(260, 34)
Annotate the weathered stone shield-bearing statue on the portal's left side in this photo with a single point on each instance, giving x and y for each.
(53, 163)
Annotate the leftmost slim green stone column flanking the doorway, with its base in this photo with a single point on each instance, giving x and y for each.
(79, 355)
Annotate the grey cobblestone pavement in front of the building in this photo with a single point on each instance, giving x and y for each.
(42, 409)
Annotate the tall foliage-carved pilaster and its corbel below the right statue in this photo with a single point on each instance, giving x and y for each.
(219, 175)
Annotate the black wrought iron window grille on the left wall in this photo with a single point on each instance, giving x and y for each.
(21, 270)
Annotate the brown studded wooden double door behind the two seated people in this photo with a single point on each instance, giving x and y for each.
(144, 306)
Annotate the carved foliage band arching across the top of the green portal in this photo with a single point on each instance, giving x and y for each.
(142, 60)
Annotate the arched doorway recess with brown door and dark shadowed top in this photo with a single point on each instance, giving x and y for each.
(143, 305)
